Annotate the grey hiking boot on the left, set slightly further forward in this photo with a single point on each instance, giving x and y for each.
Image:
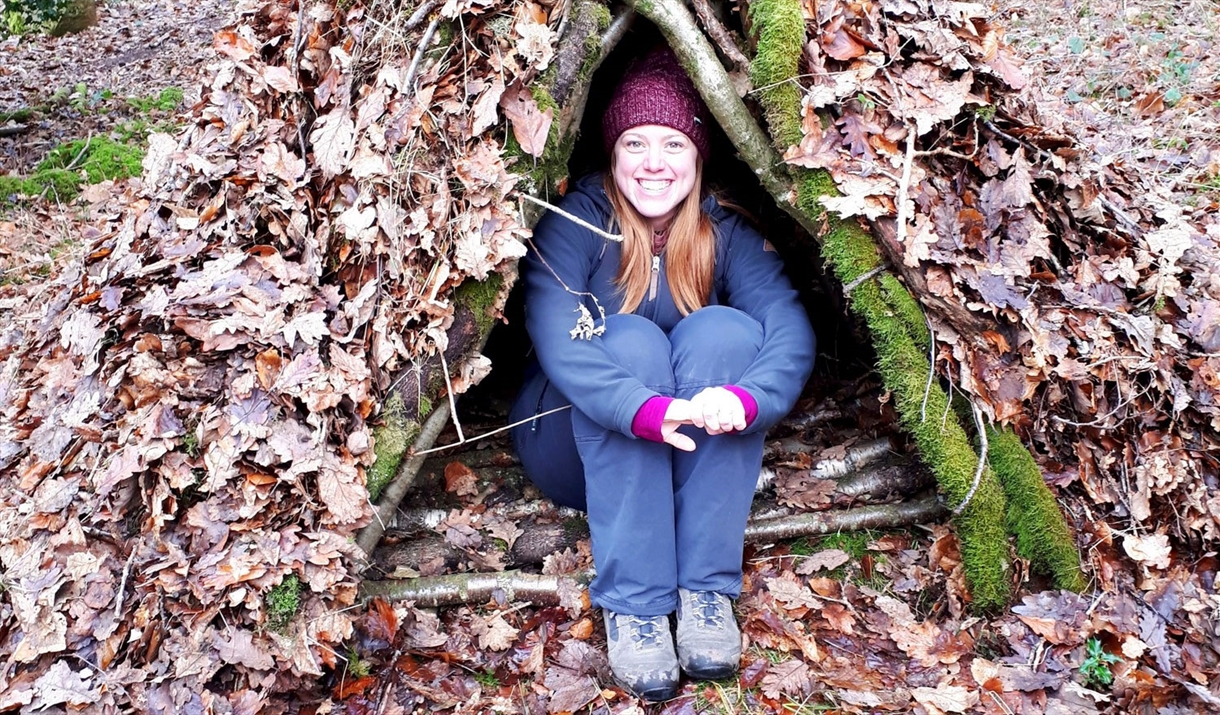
(641, 651)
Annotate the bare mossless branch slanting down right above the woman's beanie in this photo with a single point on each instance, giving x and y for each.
(700, 60)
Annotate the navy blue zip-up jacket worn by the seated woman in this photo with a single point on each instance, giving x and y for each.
(748, 278)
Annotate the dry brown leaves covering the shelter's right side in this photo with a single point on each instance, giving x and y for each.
(1101, 287)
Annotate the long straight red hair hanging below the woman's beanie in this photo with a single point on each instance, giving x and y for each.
(690, 267)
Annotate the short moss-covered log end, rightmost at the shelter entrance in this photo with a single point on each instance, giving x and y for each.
(1034, 514)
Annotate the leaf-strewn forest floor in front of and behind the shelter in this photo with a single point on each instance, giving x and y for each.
(847, 624)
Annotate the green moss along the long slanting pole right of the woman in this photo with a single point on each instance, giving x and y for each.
(903, 363)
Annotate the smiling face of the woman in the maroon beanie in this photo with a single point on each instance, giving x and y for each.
(656, 170)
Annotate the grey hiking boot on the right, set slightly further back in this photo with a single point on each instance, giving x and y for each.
(709, 641)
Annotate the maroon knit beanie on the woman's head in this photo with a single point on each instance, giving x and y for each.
(657, 91)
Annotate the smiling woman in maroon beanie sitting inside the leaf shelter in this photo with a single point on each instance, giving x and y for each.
(706, 347)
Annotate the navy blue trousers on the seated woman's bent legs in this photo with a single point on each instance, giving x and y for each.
(659, 518)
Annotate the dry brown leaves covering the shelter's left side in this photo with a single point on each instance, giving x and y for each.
(186, 418)
